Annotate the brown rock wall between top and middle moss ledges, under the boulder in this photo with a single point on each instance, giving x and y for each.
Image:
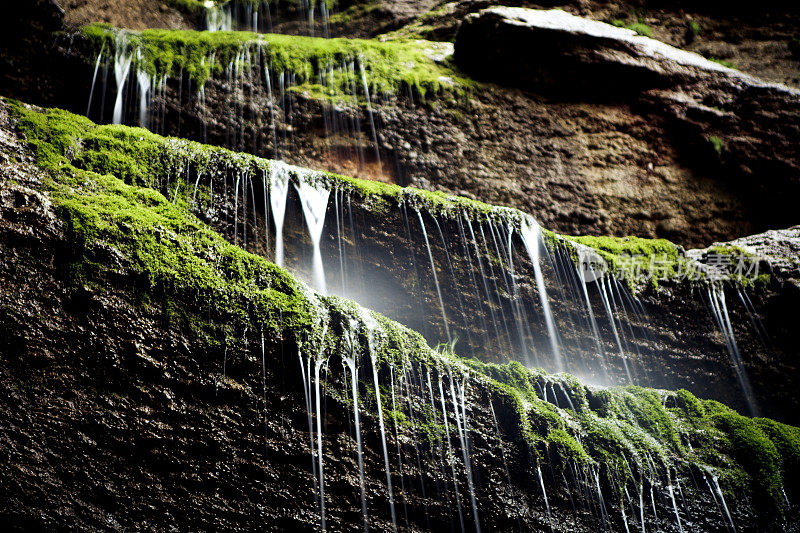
(601, 168)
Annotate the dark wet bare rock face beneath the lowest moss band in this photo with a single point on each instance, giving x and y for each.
(118, 416)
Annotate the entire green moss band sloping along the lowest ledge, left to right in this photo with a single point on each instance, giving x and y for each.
(163, 251)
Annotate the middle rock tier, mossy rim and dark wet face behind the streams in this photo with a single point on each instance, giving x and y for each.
(375, 250)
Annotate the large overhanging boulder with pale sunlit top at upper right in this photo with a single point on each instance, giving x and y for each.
(713, 115)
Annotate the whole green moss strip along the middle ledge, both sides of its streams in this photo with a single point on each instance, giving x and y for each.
(140, 157)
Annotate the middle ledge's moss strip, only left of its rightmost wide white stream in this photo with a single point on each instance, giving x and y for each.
(143, 158)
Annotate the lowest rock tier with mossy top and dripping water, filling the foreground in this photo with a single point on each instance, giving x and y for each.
(152, 378)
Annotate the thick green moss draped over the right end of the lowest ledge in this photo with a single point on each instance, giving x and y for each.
(627, 428)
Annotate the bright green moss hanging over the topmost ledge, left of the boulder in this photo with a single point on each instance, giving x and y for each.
(390, 66)
